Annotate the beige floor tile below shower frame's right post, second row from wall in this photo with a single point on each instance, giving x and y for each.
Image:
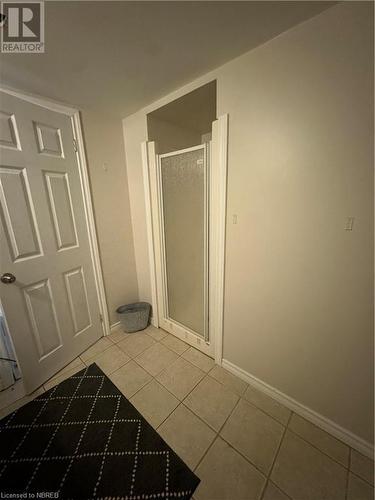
(212, 402)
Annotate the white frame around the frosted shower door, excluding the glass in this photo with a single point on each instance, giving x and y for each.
(216, 253)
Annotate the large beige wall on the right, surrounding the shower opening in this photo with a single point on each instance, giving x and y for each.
(298, 287)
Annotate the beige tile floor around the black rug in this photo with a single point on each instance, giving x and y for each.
(241, 443)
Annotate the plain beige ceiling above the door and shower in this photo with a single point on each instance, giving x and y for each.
(120, 56)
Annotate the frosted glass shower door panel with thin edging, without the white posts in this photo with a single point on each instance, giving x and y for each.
(184, 214)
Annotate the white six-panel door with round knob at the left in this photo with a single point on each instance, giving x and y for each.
(52, 307)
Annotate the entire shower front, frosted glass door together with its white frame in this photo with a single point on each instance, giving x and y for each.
(185, 193)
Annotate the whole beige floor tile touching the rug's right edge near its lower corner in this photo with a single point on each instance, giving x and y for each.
(187, 435)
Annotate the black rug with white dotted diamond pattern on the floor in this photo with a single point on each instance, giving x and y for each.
(84, 439)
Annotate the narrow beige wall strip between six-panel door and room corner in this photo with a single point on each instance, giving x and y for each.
(108, 179)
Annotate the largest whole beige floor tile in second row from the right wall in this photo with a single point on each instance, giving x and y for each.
(254, 434)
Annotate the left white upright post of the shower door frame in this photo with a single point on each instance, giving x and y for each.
(146, 156)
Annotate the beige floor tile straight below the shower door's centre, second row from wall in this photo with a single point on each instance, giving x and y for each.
(180, 378)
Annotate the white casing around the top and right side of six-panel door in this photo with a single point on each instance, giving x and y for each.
(79, 147)
